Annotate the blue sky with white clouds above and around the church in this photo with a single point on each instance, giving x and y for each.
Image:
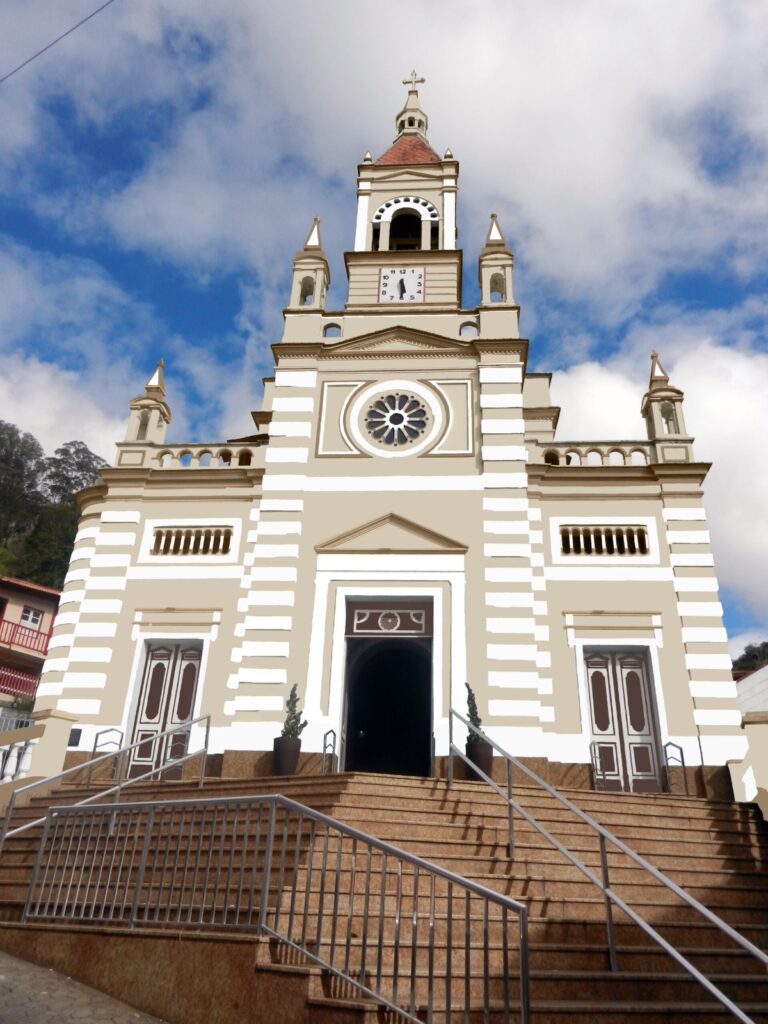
(160, 167)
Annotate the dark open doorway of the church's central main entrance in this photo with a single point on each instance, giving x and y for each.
(390, 706)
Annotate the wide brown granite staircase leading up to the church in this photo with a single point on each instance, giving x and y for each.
(717, 851)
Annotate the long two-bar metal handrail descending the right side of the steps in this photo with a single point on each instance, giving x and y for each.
(604, 883)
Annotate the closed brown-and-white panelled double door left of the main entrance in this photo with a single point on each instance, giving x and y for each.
(166, 700)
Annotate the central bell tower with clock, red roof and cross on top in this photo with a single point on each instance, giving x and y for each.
(405, 244)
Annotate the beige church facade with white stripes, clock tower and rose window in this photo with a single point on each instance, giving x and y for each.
(402, 521)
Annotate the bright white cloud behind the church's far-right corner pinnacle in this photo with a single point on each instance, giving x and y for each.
(726, 411)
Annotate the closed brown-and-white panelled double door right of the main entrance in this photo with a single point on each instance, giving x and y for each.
(624, 722)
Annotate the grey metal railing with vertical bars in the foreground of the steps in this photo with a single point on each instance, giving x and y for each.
(271, 865)
